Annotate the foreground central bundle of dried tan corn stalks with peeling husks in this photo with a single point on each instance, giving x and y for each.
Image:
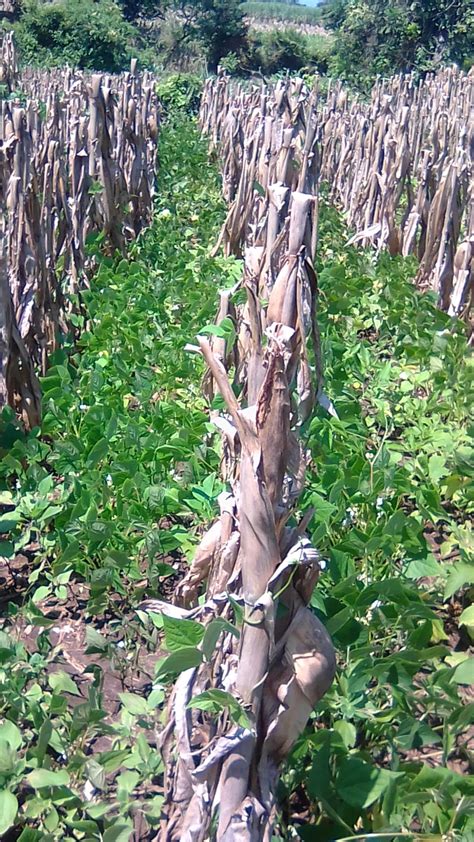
(256, 555)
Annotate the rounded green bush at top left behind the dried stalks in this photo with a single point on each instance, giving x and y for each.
(91, 35)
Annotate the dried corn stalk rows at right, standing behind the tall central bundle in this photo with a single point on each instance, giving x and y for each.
(400, 166)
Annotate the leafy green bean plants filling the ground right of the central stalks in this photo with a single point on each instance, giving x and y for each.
(394, 466)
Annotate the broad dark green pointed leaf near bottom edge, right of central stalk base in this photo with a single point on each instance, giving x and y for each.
(359, 784)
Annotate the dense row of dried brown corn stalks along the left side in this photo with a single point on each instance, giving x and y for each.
(77, 158)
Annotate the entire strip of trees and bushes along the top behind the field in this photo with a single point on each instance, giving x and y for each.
(364, 38)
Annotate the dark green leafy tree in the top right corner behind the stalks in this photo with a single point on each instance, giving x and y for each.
(374, 37)
